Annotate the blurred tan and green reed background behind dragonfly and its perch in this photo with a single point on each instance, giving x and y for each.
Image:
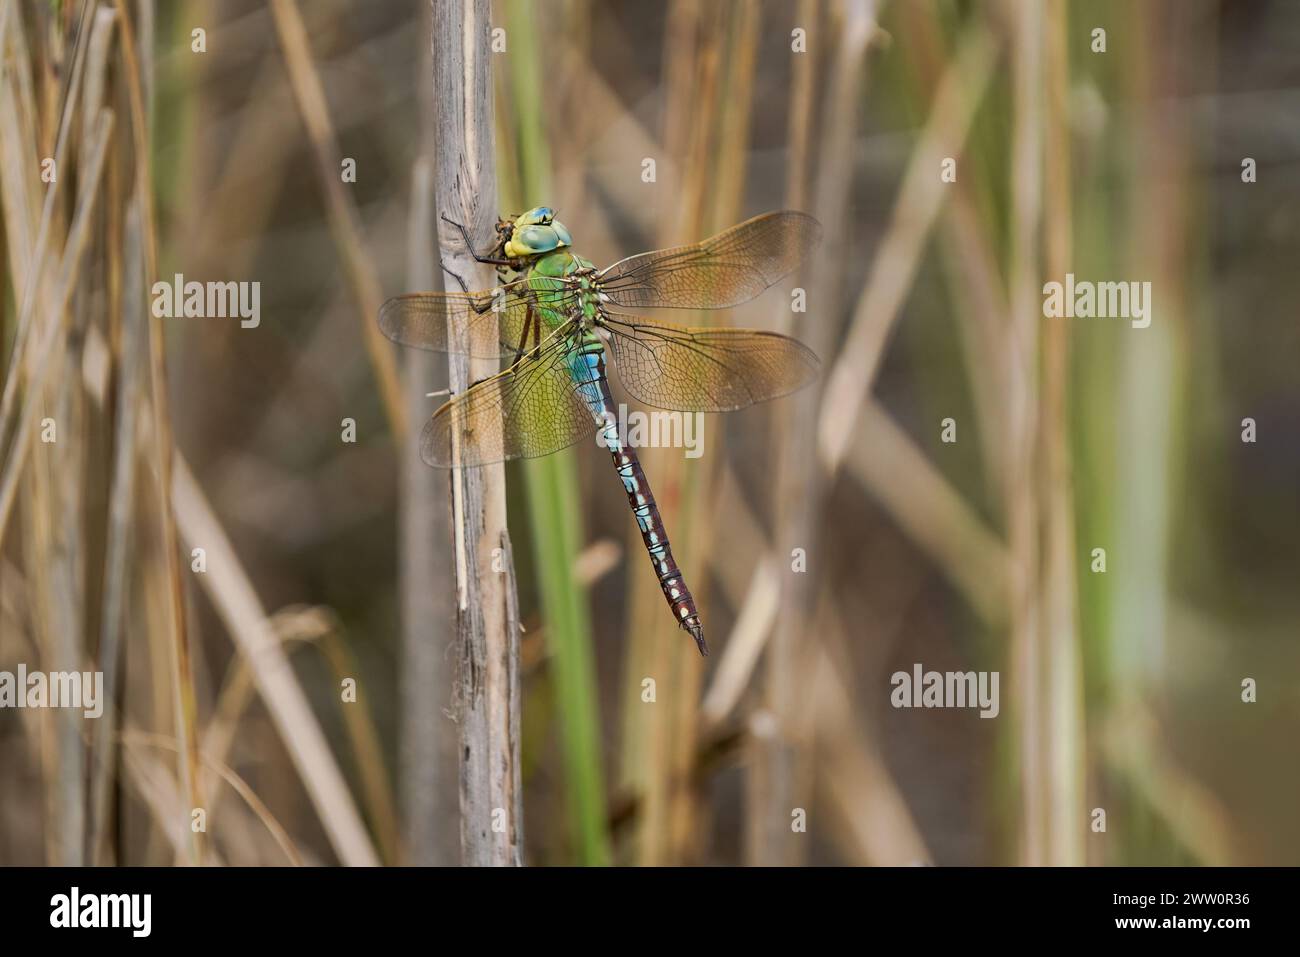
(330, 561)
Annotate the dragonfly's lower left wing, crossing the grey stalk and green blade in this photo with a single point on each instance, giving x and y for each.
(531, 409)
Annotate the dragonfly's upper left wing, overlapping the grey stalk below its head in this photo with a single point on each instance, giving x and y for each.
(493, 322)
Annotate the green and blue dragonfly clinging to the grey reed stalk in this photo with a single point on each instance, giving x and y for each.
(561, 321)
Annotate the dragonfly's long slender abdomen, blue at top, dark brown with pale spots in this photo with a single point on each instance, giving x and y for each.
(587, 366)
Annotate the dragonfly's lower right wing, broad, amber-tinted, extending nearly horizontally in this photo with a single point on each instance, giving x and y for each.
(697, 370)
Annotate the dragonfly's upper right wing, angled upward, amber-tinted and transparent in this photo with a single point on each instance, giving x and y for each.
(727, 270)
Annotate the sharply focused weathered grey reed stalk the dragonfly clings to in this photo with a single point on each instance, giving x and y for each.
(488, 694)
